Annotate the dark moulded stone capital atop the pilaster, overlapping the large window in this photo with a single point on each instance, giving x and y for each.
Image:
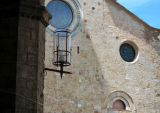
(37, 12)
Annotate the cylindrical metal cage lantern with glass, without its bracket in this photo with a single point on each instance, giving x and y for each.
(62, 48)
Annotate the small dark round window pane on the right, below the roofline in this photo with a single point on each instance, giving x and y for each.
(127, 52)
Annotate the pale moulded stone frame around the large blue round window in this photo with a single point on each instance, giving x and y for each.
(77, 21)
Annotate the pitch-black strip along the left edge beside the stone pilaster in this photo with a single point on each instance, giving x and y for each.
(8, 54)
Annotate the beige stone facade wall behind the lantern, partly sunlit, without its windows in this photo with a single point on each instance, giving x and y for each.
(98, 69)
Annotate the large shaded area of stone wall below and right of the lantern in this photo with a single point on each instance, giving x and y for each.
(85, 89)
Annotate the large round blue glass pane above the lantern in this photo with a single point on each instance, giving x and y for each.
(61, 12)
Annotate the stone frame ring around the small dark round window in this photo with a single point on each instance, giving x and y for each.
(135, 47)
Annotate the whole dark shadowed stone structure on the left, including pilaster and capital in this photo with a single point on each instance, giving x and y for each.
(22, 31)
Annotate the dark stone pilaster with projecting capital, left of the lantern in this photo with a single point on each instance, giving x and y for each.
(30, 55)
